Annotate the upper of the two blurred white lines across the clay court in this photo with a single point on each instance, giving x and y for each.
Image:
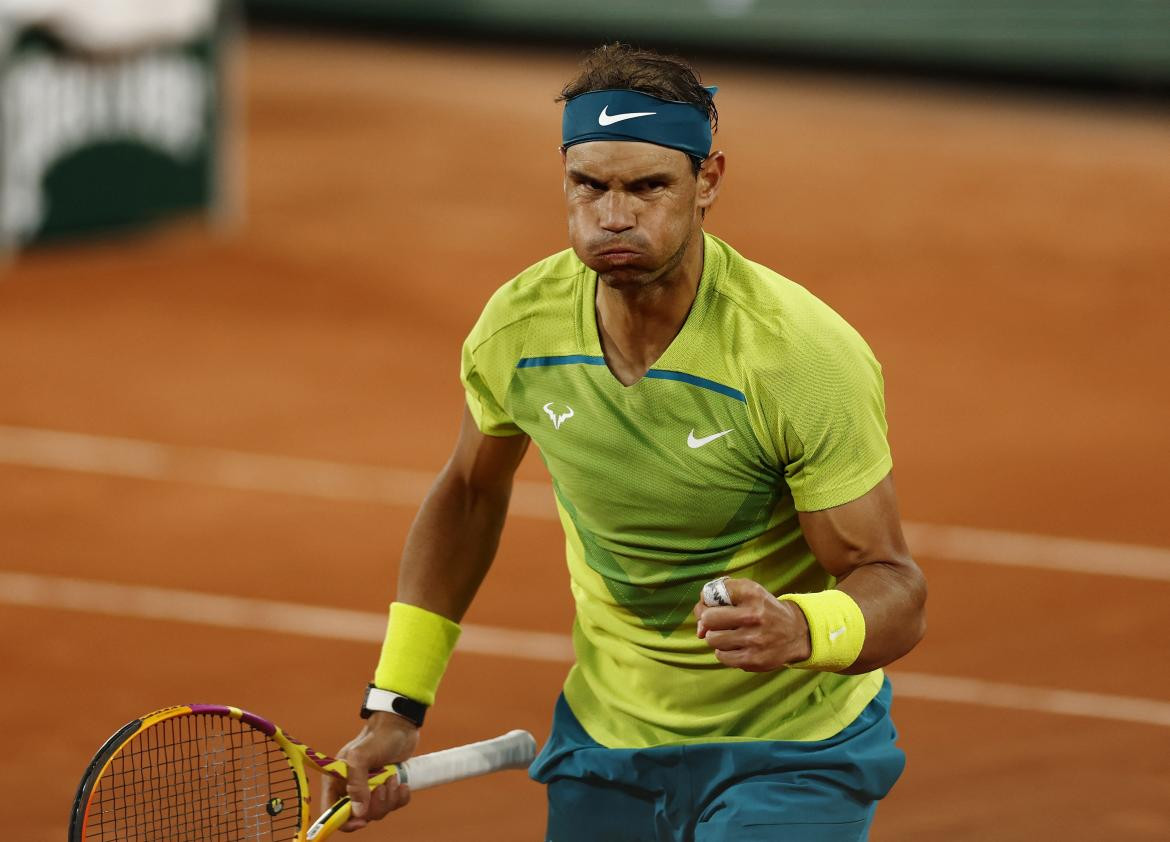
(144, 460)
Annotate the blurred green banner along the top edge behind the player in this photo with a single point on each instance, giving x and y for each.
(1105, 42)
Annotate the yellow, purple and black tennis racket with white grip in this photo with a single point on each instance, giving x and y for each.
(209, 774)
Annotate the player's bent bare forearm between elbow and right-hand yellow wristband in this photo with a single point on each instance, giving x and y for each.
(893, 599)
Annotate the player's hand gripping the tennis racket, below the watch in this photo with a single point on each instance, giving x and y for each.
(386, 740)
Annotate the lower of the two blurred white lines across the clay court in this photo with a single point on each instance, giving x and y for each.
(368, 627)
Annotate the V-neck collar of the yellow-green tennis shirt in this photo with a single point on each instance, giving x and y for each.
(679, 354)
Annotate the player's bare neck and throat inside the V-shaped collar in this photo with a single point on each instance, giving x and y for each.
(637, 326)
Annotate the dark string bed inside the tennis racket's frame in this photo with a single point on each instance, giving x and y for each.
(202, 778)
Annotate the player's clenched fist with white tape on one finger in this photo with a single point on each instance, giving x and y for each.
(758, 633)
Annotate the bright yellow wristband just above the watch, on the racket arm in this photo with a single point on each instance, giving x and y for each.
(416, 652)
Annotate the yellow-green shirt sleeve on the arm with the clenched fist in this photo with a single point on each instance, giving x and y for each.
(832, 424)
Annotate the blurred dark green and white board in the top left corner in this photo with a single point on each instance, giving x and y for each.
(113, 114)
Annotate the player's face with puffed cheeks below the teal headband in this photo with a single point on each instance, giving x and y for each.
(634, 209)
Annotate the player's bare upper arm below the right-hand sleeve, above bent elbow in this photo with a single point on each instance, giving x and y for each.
(859, 533)
